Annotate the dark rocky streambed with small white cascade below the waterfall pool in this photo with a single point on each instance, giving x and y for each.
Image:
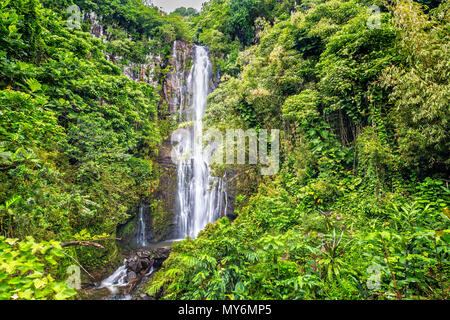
(129, 280)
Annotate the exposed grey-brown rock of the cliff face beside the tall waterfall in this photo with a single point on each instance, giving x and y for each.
(174, 104)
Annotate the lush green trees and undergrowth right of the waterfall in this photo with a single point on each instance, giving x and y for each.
(359, 209)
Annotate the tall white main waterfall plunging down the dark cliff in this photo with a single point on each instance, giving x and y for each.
(201, 198)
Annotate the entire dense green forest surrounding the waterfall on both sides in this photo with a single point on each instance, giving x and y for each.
(359, 90)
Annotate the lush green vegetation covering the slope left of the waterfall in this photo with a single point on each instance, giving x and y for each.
(78, 141)
